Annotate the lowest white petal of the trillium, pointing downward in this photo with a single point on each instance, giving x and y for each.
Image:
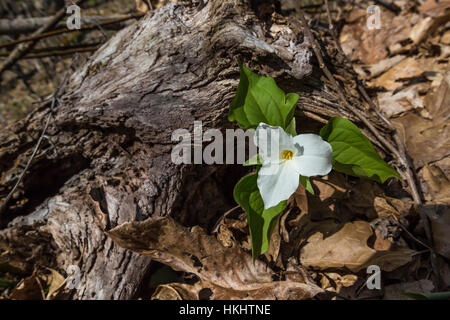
(277, 182)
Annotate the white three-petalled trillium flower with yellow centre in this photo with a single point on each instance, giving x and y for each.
(284, 158)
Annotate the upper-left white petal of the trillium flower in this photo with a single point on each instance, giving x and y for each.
(271, 141)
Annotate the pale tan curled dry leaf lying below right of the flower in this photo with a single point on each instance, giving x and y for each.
(348, 248)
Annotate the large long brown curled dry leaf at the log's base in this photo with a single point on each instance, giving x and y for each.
(217, 267)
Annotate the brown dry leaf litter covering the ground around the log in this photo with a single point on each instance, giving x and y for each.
(324, 242)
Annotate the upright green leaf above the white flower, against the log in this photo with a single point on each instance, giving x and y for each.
(259, 99)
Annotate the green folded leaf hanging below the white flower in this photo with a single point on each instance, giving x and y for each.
(261, 222)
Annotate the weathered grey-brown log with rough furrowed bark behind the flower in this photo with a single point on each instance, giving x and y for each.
(107, 160)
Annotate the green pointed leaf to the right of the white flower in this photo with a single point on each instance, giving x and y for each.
(353, 153)
